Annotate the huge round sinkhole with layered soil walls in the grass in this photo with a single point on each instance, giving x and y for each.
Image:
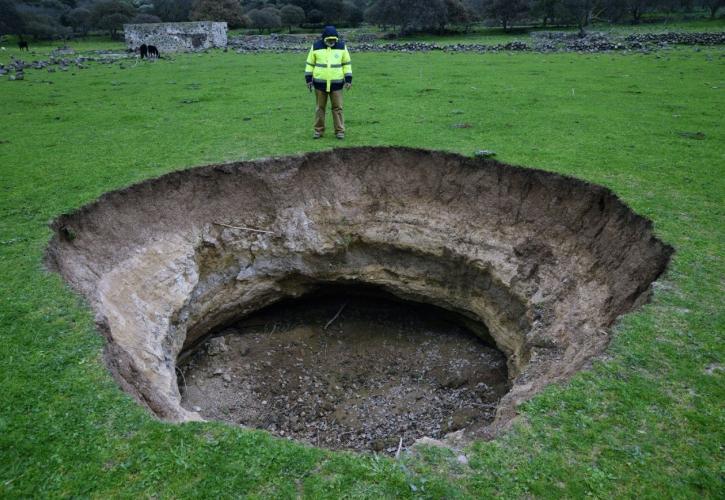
(357, 297)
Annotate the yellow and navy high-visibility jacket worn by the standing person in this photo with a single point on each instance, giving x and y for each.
(328, 68)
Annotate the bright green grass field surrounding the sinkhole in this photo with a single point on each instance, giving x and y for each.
(646, 420)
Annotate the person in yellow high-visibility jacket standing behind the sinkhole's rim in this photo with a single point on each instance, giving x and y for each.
(328, 70)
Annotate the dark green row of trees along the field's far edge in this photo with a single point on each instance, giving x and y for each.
(46, 19)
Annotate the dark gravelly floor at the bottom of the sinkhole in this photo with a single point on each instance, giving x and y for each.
(380, 372)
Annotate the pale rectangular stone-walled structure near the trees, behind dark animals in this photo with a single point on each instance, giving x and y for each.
(177, 37)
